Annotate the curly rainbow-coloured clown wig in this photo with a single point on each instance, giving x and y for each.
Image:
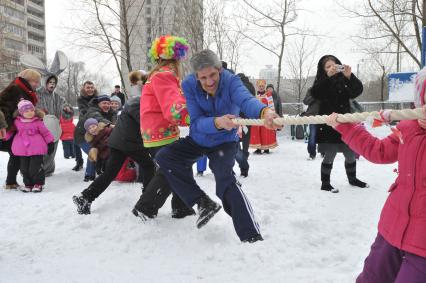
(168, 47)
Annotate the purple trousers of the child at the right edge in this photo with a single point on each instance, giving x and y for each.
(387, 264)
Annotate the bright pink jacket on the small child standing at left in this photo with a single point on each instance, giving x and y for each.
(31, 138)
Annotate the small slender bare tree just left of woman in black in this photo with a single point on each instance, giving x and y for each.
(301, 56)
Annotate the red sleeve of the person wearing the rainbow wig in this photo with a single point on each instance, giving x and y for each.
(170, 97)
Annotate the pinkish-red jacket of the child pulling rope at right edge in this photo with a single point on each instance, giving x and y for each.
(403, 218)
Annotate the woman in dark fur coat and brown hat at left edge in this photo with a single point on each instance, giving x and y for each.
(21, 88)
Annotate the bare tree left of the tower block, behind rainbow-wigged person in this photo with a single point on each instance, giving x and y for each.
(108, 28)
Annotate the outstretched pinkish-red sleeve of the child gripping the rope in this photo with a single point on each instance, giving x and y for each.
(382, 151)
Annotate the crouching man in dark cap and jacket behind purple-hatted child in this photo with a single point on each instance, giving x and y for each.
(99, 109)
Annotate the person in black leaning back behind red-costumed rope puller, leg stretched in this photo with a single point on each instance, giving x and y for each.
(124, 142)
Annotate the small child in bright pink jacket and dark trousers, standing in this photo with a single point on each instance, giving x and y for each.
(31, 142)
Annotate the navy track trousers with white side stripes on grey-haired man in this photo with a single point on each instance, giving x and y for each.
(176, 162)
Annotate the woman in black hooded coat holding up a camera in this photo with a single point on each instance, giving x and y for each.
(334, 86)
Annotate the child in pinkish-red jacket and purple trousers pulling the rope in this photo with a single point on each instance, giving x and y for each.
(399, 252)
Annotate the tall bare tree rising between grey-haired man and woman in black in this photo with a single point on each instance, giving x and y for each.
(274, 19)
